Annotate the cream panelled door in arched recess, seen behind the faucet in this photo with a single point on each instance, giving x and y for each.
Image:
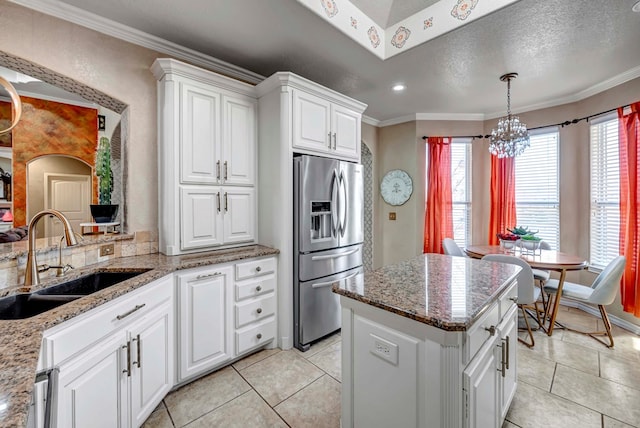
(69, 194)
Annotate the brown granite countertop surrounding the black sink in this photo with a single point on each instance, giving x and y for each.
(21, 339)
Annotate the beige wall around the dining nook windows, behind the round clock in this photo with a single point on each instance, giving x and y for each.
(401, 146)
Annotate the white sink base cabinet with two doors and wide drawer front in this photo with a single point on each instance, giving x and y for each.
(119, 379)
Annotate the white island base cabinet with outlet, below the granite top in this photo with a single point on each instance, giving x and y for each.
(400, 372)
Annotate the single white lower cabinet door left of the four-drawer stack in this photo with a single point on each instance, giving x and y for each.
(205, 323)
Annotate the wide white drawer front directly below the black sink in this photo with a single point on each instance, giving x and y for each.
(73, 336)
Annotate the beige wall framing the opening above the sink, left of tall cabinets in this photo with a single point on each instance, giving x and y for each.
(115, 67)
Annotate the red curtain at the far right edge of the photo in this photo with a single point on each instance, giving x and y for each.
(629, 132)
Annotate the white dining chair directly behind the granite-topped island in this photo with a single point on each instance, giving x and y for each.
(528, 293)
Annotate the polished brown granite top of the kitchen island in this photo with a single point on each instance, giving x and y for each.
(442, 291)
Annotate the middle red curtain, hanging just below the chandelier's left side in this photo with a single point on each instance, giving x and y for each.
(503, 197)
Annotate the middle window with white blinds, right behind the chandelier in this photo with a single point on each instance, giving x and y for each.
(537, 195)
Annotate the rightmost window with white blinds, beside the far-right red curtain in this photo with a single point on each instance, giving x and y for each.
(605, 192)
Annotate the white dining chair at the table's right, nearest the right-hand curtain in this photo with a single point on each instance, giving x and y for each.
(602, 292)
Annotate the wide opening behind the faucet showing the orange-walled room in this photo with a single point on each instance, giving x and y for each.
(49, 159)
